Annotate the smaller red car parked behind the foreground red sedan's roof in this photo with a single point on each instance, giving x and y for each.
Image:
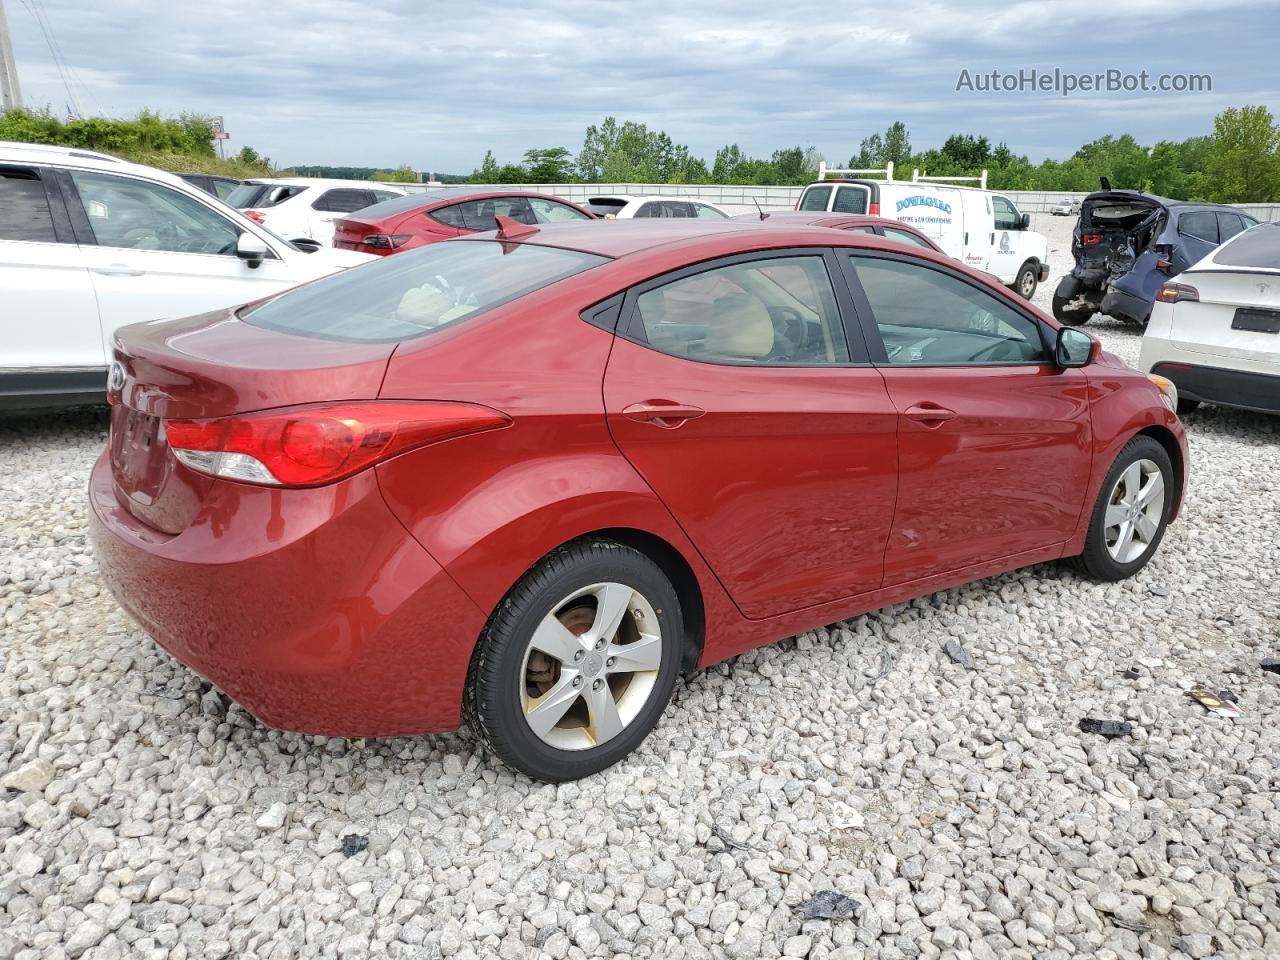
(417, 220)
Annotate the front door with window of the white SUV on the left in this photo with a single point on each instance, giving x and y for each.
(156, 253)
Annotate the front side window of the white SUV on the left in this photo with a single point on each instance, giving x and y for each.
(139, 216)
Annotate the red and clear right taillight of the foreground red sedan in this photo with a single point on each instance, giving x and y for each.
(319, 444)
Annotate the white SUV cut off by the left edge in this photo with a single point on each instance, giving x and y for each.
(90, 244)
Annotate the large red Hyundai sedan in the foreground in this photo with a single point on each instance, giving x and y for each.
(531, 478)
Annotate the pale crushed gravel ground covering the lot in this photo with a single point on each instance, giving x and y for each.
(961, 811)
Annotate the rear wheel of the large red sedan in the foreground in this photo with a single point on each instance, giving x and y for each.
(578, 664)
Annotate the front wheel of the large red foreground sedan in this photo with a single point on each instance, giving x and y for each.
(1132, 513)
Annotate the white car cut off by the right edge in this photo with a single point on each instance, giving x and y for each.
(1215, 328)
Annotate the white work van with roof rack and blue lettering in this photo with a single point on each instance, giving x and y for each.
(977, 227)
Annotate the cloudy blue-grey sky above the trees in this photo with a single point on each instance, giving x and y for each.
(383, 83)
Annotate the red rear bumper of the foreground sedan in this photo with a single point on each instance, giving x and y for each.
(314, 609)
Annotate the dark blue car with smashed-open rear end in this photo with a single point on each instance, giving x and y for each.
(1128, 244)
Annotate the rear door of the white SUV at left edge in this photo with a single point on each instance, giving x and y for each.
(48, 309)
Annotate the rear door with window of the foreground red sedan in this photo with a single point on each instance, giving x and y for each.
(735, 394)
